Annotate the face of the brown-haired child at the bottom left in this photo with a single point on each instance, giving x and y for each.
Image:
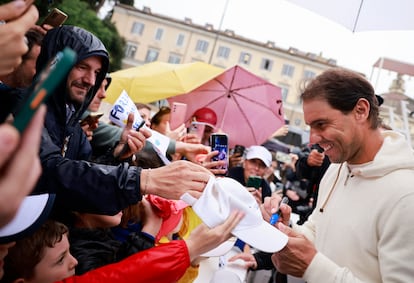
(56, 264)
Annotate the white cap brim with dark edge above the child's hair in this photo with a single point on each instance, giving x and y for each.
(32, 213)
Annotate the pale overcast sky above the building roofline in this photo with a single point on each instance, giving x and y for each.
(291, 26)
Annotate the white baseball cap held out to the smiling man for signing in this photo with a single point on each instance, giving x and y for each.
(220, 198)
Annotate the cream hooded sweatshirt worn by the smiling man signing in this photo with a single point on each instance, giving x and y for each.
(366, 230)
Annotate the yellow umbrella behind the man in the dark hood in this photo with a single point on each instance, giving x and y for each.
(158, 80)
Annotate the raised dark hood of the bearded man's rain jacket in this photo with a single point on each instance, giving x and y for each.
(85, 44)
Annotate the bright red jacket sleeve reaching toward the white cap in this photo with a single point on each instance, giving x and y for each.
(162, 264)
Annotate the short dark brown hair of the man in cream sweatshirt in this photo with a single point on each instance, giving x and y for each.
(342, 89)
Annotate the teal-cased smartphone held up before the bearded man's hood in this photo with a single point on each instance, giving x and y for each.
(49, 78)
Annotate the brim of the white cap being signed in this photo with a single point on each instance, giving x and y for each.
(266, 238)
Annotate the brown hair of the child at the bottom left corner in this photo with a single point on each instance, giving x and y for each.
(23, 257)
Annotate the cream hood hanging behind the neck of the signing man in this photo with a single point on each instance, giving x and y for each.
(391, 156)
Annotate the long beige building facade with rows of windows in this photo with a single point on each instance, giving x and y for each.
(151, 37)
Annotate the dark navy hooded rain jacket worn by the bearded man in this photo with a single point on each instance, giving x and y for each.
(79, 185)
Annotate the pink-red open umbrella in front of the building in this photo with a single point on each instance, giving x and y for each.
(248, 108)
